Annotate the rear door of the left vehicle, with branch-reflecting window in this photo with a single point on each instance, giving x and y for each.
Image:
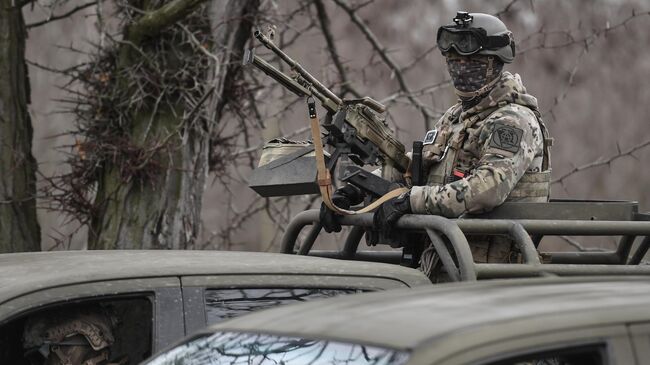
(209, 300)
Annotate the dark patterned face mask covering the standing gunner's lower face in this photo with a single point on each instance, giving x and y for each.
(472, 73)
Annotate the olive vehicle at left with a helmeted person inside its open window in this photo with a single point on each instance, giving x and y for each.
(160, 296)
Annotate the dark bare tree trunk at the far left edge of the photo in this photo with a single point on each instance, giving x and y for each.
(19, 229)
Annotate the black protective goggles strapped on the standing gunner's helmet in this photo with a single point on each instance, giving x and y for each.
(467, 41)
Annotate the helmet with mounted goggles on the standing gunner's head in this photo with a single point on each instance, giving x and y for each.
(477, 33)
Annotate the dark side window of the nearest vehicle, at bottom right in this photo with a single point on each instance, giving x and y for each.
(583, 355)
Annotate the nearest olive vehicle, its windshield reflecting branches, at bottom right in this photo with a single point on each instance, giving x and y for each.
(571, 321)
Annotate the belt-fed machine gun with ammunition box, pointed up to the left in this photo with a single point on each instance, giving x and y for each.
(356, 129)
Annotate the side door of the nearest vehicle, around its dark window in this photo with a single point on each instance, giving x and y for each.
(598, 345)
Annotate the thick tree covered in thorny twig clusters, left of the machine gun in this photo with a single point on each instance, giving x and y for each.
(145, 113)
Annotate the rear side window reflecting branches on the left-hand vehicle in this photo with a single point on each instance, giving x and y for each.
(221, 304)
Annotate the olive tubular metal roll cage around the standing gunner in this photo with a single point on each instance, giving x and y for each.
(529, 224)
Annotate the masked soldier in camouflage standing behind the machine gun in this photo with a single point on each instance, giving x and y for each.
(490, 147)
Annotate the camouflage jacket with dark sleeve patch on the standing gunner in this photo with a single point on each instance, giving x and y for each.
(476, 159)
